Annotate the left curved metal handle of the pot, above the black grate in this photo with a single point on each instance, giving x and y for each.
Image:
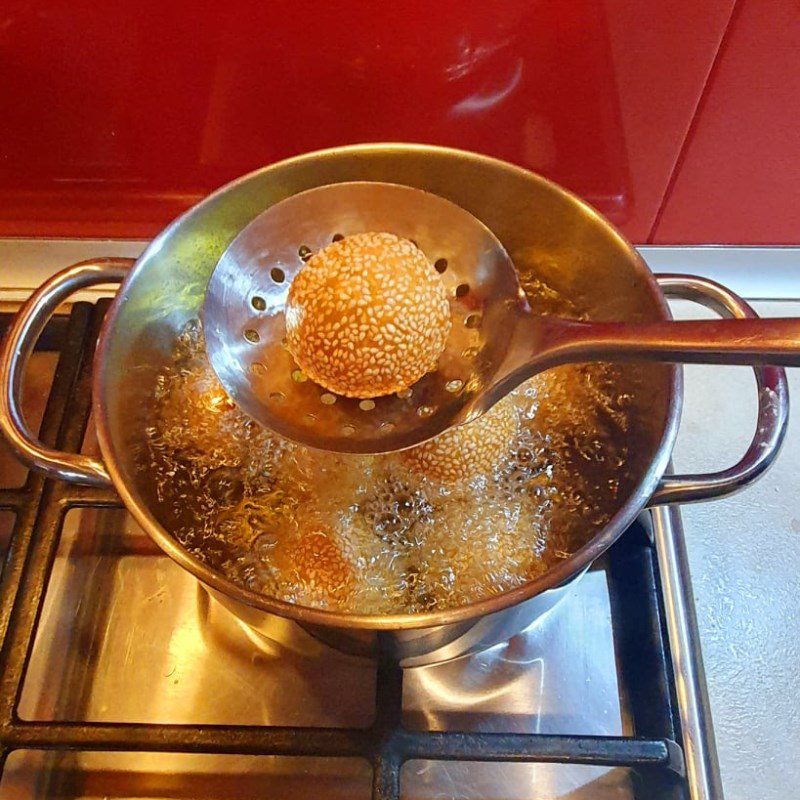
(15, 350)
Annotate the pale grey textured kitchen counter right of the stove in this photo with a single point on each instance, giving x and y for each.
(744, 554)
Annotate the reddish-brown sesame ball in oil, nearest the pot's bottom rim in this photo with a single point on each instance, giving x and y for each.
(315, 563)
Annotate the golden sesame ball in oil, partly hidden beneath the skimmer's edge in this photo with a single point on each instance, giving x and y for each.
(468, 450)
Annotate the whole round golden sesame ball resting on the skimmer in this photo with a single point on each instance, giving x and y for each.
(367, 315)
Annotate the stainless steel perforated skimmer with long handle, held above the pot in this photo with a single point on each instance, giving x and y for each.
(495, 341)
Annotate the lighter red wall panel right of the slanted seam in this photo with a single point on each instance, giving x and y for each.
(739, 178)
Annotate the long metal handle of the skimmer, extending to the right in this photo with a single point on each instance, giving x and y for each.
(723, 341)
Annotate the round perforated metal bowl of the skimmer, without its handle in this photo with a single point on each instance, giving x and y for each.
(243, 316)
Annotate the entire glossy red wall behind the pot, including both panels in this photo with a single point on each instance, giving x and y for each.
(676, 118)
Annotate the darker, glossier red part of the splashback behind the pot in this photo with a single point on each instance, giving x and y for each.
(123, 115)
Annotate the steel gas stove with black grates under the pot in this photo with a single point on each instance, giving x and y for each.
(121, 678)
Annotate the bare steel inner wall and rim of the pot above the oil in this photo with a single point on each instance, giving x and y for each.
(551, 236)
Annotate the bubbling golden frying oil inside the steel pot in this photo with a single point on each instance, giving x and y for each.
(365, 534)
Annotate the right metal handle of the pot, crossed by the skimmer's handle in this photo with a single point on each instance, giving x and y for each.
(773, 405)
